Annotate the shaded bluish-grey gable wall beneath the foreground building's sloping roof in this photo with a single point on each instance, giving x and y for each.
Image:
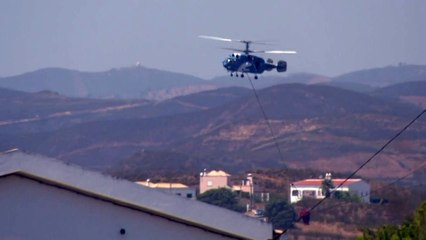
(33, 210)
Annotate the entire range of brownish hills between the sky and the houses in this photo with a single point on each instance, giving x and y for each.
(311, 124)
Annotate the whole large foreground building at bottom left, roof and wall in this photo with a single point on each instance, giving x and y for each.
(43, 198)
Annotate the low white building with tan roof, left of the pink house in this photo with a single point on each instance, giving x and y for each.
(178, 189)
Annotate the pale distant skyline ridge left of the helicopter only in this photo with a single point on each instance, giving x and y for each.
(130, 82)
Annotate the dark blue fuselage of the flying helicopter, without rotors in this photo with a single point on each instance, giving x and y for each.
(246, 63)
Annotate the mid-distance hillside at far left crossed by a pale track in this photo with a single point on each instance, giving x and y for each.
(47, 111)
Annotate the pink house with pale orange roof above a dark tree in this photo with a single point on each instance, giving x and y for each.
(214, 180)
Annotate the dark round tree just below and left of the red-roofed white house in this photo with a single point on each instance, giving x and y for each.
(280, 214)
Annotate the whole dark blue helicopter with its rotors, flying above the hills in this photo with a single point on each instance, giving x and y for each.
(244, 62)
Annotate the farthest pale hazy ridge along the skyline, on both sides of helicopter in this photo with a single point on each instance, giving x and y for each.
(141, 82)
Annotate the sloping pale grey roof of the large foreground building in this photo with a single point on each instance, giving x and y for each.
(128, 194)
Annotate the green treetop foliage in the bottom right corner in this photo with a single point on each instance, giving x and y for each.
(413, 228)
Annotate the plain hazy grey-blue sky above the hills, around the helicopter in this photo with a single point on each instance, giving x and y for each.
(331, 36)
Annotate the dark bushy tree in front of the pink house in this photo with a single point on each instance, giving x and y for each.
(222, 197)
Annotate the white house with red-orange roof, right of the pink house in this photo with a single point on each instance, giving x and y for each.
(312, 188)
